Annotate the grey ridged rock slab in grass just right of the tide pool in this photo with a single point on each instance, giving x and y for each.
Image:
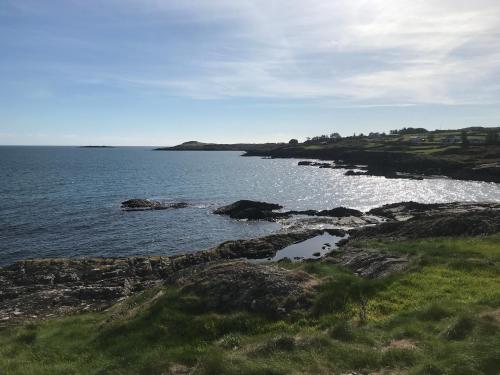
(368, 263)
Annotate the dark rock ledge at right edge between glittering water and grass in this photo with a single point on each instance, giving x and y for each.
(471, 223)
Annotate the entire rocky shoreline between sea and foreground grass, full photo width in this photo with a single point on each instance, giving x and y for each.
(45, 288)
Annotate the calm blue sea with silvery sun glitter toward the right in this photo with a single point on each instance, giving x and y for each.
(65, 201)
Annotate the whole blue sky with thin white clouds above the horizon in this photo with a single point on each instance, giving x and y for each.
(161, 72)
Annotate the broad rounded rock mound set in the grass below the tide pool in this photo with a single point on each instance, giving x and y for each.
(239, 285)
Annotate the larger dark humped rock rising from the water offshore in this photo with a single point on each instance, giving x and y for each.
(251, 210)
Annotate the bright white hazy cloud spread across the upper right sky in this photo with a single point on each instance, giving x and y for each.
(369, 51)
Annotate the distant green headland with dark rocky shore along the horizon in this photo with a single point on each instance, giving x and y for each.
(465, 154)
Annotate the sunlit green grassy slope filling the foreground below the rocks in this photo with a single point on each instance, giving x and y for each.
(441, 317)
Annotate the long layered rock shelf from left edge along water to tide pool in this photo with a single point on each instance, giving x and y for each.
(37, 289)
